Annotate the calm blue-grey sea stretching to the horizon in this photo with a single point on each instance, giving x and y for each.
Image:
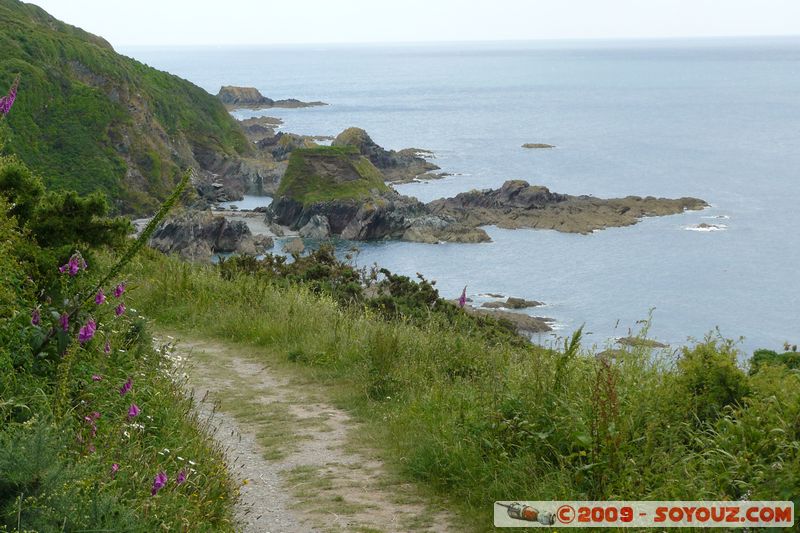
(717, 119)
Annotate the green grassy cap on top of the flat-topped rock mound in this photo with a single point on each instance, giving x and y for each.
(327, 173)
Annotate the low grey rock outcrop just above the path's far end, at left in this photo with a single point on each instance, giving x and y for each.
(197, 235)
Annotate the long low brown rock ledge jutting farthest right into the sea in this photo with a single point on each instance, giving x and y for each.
(518, 204)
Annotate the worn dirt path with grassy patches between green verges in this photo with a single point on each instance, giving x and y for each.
(301, 462)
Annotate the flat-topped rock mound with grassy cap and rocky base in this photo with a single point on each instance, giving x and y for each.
(339, 187)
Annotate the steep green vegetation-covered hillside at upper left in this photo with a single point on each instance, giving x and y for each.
(87, 118)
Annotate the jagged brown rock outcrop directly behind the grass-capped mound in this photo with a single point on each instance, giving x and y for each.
(396, 166)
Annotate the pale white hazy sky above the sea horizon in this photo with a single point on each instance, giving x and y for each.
(336, 21)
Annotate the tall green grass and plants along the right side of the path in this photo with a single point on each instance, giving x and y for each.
(482, 421)
